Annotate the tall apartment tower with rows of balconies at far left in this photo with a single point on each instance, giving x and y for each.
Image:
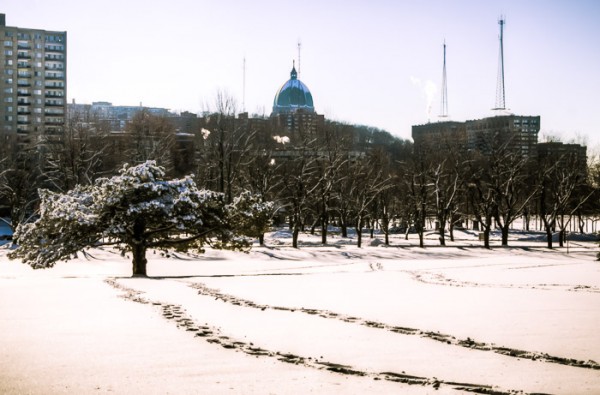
(33, 89)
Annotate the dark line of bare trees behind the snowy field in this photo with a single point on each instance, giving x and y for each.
(351, 176)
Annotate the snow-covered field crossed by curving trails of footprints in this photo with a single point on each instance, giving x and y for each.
(320, 319)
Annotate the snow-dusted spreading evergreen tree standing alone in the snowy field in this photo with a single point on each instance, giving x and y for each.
(134, 211)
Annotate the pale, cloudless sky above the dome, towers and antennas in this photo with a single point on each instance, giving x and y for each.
(376, 62)
